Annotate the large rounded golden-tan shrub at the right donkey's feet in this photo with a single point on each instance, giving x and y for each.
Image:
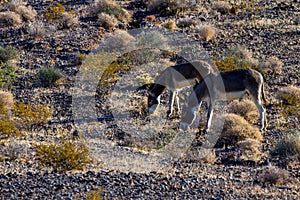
(236, 129)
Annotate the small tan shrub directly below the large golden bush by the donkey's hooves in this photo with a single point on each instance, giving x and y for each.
(249, 149)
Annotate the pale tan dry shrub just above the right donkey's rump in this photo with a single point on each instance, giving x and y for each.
(272, 65)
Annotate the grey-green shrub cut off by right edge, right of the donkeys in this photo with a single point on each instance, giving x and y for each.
(289, 145)
